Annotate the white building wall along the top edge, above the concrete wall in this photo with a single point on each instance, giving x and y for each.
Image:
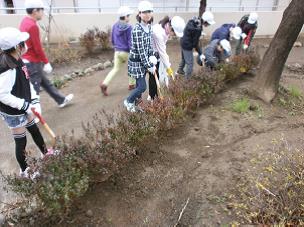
(160, 5)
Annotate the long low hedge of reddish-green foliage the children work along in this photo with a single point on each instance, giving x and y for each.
(109, 143)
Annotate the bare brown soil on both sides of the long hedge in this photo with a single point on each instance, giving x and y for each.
(201, 161)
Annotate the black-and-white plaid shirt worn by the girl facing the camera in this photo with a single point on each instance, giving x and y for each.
(141, 50)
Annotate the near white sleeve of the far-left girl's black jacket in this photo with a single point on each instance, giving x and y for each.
(7, 81)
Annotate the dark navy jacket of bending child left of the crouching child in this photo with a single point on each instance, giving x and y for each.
(192, 34)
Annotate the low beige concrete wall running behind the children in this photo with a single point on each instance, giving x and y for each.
(68, 26)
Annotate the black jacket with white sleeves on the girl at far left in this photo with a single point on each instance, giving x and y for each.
(16, 91)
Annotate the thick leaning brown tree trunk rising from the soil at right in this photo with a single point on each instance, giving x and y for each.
(268, 76)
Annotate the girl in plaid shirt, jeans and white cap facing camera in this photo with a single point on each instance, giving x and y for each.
(141, 59)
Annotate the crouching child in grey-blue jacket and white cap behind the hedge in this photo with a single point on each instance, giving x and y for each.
(217, 52)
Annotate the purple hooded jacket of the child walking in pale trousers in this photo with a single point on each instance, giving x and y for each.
(121, 36)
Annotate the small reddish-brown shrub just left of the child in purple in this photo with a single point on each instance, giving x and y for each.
(94, 38)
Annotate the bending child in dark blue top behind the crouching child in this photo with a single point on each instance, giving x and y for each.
(227, 31)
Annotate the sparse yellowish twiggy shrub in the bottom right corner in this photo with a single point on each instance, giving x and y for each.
(272, 191)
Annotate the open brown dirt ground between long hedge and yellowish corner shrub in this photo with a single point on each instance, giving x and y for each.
(202, 162)
